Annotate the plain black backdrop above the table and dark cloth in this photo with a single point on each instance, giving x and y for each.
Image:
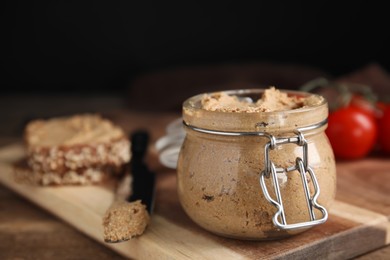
(104, 45)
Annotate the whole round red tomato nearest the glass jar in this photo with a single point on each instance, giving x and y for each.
(351, 132)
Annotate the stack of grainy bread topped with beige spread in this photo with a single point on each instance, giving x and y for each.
(79, 144)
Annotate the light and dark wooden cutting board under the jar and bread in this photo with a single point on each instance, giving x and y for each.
(358, 222)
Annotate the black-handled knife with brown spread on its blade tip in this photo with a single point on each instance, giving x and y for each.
(129, 214)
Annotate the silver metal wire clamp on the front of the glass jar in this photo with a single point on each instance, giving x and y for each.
(303, 168)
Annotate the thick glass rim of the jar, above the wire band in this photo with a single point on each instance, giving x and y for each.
(283, 120)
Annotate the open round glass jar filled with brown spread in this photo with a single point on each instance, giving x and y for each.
(255, 176)
